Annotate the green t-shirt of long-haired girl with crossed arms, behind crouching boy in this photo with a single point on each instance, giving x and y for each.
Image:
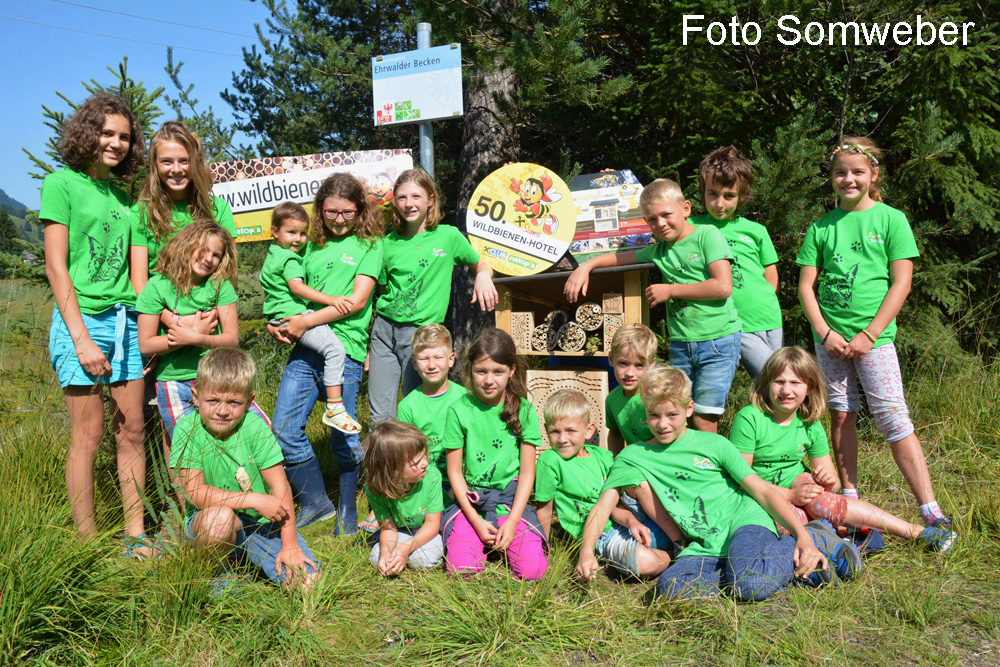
(182, 363)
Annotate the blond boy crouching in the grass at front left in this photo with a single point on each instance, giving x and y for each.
(229, 465)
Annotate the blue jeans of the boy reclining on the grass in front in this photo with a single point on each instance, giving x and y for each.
(758, 565)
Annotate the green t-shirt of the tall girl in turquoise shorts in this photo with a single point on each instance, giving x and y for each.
(96, 214)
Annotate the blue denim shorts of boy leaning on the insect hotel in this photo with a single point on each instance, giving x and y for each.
(711, 365)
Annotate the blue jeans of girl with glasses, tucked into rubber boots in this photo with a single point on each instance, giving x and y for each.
(298, 393)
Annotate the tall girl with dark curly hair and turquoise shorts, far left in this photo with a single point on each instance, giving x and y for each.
(93, 340)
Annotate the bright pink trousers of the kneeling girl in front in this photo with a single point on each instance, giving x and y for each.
(465, 553)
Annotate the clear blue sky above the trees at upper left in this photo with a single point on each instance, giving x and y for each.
(39, 60)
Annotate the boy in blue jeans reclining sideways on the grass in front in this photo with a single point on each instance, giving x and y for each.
(719, 504)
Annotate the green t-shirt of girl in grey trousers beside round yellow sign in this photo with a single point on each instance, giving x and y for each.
(417, 275)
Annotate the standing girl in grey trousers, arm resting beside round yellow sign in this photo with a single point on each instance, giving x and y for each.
(420, 255)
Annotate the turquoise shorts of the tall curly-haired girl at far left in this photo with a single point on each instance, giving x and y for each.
(114, 331)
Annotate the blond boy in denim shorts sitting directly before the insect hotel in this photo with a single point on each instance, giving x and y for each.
(570, 476)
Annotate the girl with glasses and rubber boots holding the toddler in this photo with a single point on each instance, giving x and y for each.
(343, 258)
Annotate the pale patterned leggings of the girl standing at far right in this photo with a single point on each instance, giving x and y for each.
(878, 372)
